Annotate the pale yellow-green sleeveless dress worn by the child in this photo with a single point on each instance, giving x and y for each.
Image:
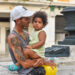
(34, 39)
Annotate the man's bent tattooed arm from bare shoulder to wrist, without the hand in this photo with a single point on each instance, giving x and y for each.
(15, 46)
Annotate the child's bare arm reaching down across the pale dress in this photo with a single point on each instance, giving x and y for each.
(41, 42)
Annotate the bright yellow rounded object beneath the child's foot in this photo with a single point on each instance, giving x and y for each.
(49, 70)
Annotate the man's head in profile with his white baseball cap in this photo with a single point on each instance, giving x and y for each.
(21, 15)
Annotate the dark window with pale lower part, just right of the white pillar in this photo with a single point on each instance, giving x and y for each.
(60, 24)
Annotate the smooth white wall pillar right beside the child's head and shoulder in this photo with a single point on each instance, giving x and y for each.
(50, 31)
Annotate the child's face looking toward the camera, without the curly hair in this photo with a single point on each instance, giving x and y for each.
(38, 23)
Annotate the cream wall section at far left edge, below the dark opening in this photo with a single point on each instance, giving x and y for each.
(3, 37)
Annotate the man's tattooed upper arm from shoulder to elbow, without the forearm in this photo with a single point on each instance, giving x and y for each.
(15, 45)
